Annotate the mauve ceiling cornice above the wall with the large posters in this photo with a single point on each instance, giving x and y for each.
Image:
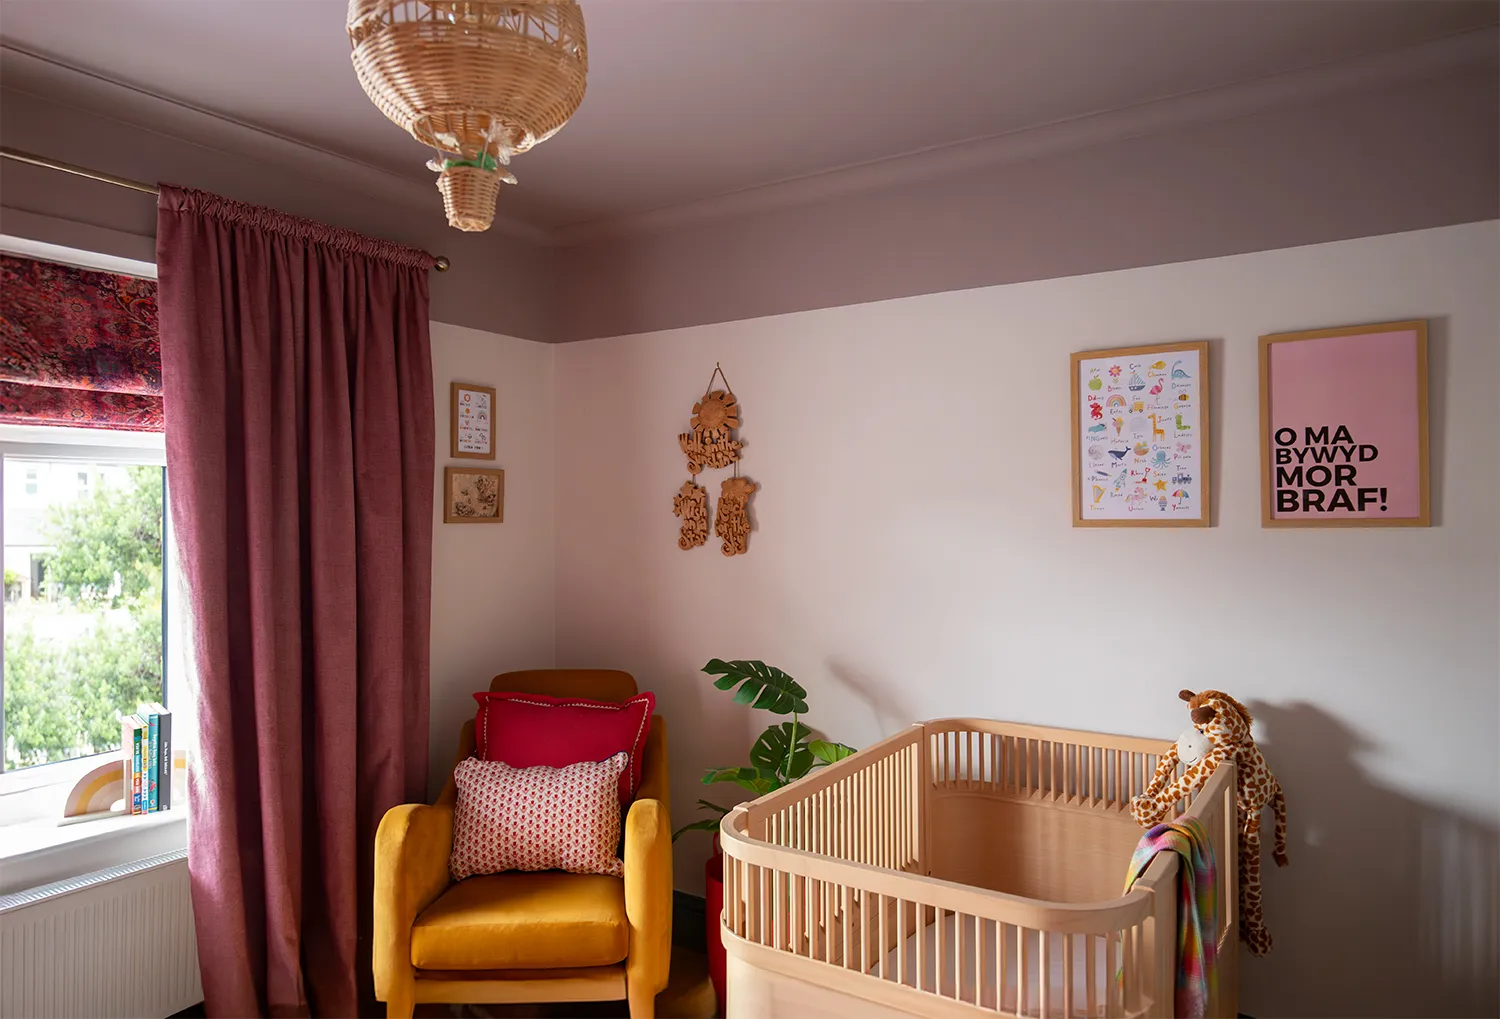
(1225, 103)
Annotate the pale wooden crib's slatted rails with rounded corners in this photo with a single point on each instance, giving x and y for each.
(829, 882)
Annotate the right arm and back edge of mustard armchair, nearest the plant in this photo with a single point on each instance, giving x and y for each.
(649, 873)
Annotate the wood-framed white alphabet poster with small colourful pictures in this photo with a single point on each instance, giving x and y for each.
(1141, 436)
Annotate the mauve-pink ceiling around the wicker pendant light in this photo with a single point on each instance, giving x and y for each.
(691, 100)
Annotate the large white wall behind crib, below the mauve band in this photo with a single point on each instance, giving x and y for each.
(914, 559)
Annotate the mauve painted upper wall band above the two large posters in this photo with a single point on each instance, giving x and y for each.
(1418, 155)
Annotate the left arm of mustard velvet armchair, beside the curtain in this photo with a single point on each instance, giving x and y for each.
(412, 870)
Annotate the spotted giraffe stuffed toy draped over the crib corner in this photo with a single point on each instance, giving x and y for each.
(1225, 724)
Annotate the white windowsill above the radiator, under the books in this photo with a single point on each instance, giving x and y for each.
(44, 852)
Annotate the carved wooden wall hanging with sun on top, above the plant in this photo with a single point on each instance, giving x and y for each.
(710, 443)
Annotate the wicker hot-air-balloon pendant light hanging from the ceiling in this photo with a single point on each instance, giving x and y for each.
(476, 80)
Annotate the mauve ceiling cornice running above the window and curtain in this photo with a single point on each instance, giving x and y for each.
(56, 82)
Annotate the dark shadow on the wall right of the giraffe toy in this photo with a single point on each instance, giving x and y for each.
(1390, 907)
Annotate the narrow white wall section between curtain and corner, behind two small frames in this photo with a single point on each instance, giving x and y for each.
(493, 585)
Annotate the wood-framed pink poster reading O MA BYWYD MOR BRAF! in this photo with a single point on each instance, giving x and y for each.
(1343, 427)
